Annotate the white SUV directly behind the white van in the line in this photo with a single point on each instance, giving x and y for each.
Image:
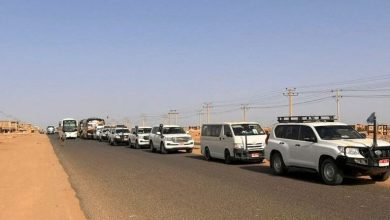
(166, 138)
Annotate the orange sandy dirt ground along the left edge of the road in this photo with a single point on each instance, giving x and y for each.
(33, 184)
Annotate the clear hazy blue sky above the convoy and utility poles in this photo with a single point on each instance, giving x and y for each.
(124, 59)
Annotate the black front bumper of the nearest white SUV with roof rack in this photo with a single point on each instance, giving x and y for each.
(351, 167)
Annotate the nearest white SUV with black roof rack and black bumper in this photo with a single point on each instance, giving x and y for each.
(335, 150)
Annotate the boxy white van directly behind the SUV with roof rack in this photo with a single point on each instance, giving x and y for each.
(233, 141)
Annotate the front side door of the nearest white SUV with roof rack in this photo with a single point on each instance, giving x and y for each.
(303, 150)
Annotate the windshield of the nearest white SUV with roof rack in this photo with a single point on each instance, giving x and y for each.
(337, 132)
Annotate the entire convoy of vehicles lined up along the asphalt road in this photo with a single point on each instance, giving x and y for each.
(332, 149)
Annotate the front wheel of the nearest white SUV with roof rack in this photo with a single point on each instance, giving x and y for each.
(330, 173)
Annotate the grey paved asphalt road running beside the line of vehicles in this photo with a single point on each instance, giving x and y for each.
(122, 183)
